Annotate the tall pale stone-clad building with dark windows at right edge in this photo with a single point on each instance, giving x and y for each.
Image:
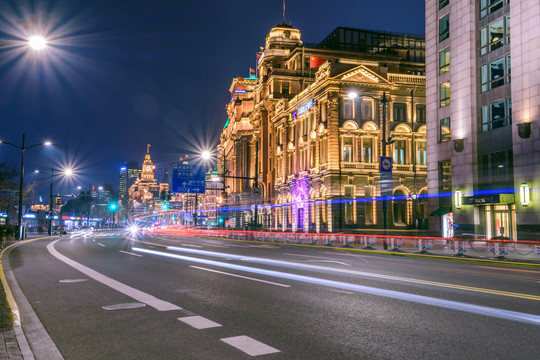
(483, 135)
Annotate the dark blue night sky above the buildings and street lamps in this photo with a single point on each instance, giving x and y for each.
(120, 74)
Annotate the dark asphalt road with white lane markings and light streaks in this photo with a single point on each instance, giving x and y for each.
(110, 296)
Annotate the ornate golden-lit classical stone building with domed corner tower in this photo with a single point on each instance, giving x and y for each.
(317, 147)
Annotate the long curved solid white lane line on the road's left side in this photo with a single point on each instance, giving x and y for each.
(138, 295)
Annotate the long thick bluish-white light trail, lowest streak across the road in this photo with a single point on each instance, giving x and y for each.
(447, 304)
